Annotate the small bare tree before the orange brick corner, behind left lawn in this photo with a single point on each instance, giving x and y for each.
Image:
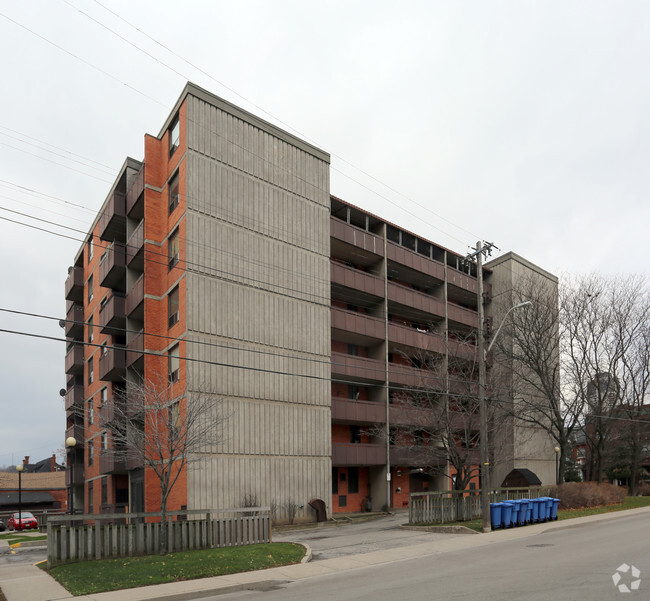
(154, 425)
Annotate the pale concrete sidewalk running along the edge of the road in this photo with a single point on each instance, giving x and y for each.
(29, 583)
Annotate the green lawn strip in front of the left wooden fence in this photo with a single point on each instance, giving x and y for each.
(89, 577)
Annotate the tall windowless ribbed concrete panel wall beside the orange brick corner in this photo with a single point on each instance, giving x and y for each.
(258, 309)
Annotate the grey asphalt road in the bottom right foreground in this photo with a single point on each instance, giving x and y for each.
(564, 564)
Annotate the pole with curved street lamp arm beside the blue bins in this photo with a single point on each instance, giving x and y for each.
(485, 462)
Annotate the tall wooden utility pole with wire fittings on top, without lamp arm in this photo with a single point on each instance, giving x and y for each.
(478, 253)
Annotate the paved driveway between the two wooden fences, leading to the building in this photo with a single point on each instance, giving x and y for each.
(329, 541)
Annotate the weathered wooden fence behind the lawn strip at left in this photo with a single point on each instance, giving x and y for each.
(86, 537)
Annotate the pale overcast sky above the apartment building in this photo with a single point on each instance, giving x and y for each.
(526, 124)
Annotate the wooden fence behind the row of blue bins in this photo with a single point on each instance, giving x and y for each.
(452, 506)
